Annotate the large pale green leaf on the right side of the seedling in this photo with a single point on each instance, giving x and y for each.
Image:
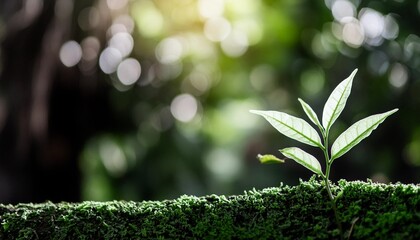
(356, 133)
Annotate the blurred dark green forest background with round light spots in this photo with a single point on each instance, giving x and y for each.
(149, 100)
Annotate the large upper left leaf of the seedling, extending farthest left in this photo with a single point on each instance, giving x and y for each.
(292, 127)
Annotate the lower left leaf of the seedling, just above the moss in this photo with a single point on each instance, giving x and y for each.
(303, 158)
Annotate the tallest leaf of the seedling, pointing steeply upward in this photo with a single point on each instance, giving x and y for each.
(336, 102)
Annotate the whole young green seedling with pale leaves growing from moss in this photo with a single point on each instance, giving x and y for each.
(300, 130)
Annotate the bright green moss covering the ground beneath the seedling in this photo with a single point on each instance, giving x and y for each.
(378, 211)
